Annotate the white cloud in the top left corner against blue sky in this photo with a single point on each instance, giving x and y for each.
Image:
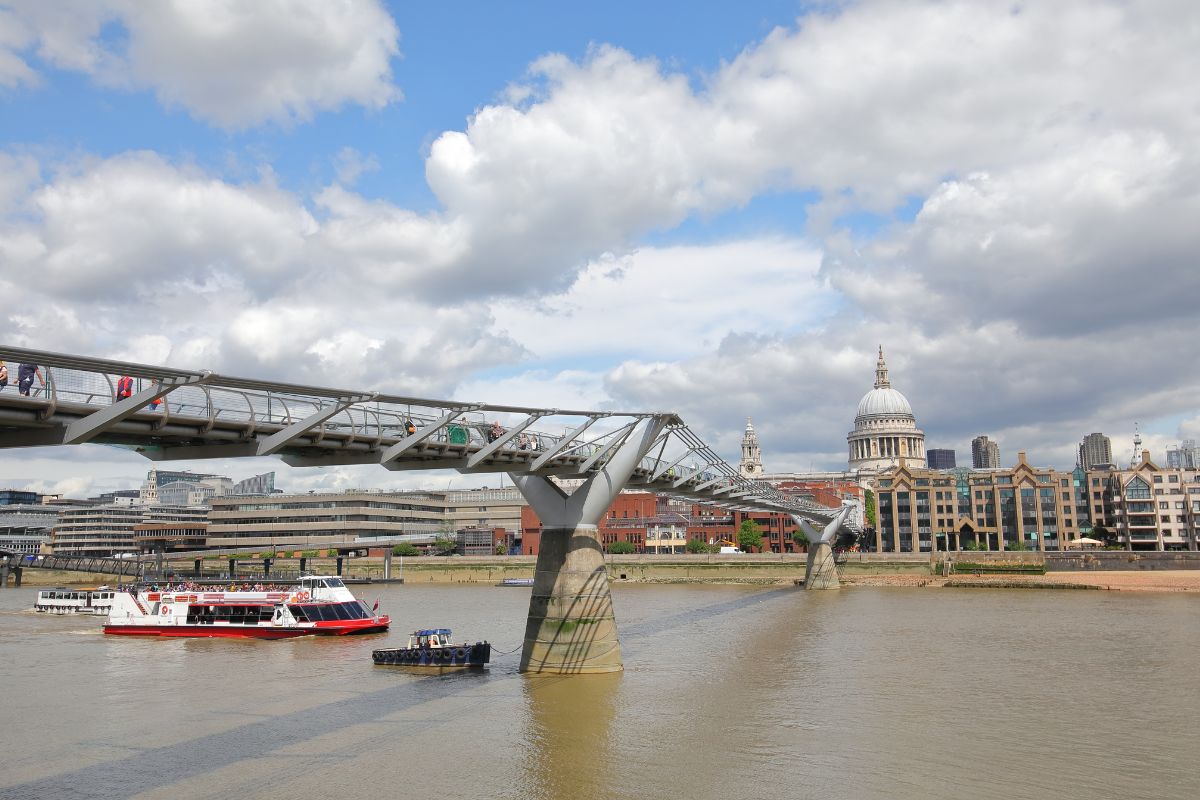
(232, 64)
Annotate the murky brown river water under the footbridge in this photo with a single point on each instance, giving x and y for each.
(728, 693)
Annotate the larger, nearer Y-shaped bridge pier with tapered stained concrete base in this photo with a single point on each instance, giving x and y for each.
(572, 628)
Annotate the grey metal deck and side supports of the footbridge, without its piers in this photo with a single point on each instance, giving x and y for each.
(178, 414)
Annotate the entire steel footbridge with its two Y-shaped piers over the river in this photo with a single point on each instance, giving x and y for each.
(183, 416)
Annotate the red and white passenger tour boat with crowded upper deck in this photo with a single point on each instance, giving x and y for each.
(316, 606)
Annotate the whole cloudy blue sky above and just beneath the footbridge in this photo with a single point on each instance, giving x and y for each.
(716, 209)
